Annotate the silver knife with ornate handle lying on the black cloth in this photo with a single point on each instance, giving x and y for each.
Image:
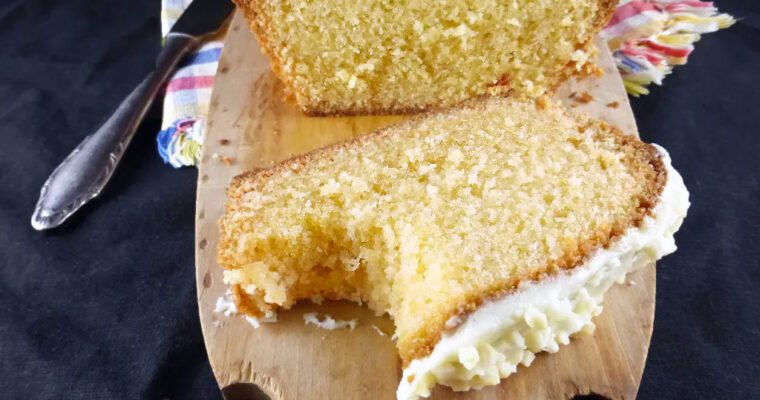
(84, 173)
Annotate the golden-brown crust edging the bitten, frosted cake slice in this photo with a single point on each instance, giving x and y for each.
(638, 156)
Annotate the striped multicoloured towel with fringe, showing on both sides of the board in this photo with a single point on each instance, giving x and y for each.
(647, 37)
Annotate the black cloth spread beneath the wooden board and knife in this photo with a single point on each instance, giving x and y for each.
(104, 308)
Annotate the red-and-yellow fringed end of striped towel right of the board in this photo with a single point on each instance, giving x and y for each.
(649, 37)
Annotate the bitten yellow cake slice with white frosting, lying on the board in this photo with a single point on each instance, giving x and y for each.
(488, 232)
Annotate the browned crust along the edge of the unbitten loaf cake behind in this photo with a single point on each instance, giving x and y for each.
(259, 25)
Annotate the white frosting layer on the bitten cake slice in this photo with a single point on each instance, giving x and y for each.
(501, 334)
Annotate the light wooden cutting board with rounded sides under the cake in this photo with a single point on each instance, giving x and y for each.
(250, 126)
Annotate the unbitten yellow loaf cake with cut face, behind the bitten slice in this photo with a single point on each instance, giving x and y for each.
(375, 56)
